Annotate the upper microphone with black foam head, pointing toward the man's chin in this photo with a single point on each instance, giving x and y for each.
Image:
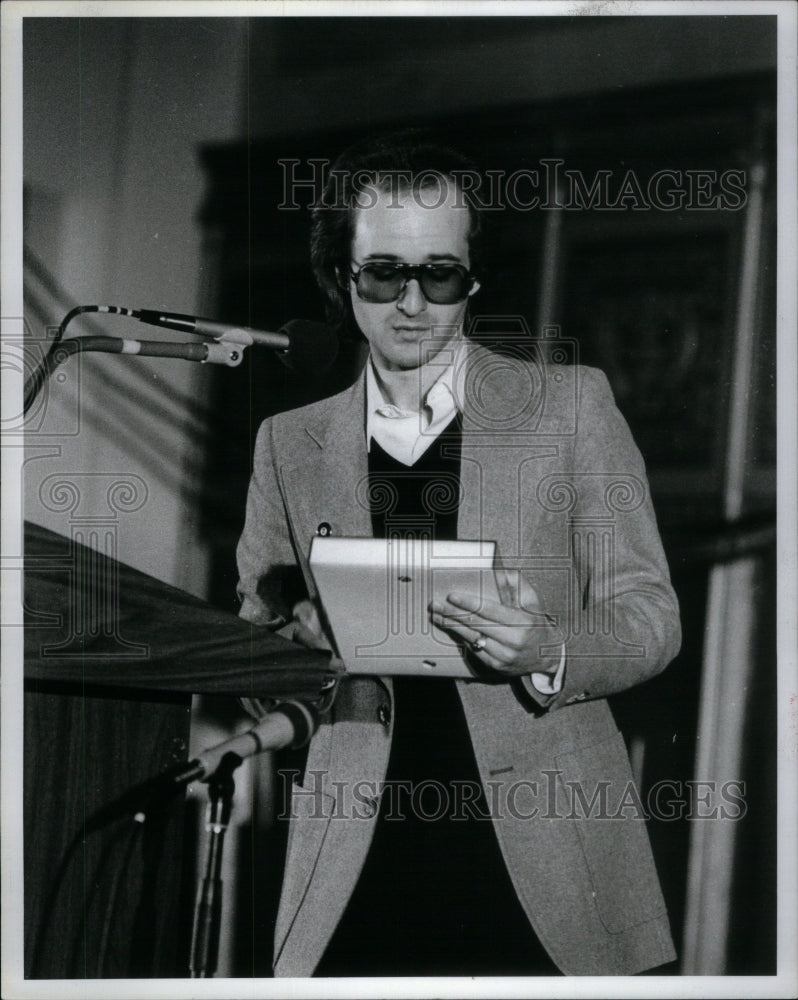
(303, 344)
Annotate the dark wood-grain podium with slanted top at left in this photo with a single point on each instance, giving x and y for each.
(112, 657)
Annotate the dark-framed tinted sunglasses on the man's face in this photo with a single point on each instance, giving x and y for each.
(441, 283)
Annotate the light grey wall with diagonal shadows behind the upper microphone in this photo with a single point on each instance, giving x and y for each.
(114, 112)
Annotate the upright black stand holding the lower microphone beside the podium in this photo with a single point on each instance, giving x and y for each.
(208, 907)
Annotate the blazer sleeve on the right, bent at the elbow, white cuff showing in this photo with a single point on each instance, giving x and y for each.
(622, 622)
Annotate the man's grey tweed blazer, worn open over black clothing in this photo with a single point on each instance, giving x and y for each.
(550, 472)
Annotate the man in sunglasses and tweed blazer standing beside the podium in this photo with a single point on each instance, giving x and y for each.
(542, 866)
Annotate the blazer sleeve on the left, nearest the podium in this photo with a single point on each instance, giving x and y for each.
(264, 551)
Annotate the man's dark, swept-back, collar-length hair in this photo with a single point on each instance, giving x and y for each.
(410, 159)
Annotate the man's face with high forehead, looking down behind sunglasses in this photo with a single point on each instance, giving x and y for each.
(400, 228)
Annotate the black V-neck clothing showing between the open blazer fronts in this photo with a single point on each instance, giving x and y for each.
(434, 897)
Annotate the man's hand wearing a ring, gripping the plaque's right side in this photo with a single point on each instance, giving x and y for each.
(505, 636)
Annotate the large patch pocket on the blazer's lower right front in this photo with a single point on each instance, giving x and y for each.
(610, 818)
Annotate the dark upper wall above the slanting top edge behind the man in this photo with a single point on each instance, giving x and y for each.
(362, 70)
